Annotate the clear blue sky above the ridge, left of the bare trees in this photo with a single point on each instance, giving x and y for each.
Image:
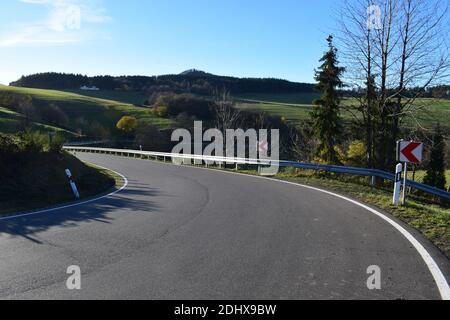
(252, 38)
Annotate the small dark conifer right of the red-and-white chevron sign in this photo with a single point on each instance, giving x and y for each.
(435, 175)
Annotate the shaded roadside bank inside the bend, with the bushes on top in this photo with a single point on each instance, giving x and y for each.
(27, 158)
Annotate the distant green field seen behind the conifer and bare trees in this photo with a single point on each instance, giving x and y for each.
(296, 107)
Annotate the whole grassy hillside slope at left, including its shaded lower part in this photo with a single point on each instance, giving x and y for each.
(76, 113)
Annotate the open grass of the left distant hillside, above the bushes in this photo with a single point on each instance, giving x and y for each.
(81, 110)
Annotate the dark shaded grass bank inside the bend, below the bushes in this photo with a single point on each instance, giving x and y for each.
(41, 183)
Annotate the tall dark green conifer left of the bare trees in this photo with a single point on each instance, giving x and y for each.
(326, 114)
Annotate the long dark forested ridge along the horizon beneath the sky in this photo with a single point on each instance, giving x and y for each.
(191, 81)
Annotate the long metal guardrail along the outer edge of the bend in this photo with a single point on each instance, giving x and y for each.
(266, 162)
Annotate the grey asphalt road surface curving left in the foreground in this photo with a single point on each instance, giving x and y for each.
(187, 233)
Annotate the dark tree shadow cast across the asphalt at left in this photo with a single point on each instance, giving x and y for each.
(133, 199)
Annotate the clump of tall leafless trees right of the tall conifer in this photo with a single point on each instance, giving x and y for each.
(390, 66)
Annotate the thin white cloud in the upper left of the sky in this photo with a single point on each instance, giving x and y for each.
(67, 21)
